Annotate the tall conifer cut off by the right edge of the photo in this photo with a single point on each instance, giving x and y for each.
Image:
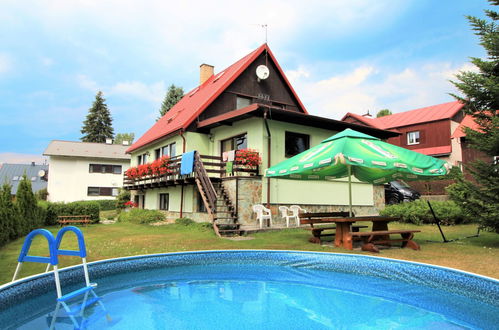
(481, 100)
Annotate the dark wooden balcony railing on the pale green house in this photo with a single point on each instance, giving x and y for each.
(213, 165)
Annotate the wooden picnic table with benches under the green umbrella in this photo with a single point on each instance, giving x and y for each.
(378, 235)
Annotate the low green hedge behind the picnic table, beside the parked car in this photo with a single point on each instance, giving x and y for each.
(418, 212)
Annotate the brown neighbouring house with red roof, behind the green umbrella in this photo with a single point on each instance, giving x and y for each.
(427, 130)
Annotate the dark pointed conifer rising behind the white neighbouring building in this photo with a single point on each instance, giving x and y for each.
(98, 126)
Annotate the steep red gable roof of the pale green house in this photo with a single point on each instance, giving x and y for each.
(197, 100)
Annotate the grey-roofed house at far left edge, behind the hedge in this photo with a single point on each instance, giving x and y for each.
(13, 173)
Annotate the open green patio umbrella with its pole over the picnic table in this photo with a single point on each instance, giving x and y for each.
(365, 157)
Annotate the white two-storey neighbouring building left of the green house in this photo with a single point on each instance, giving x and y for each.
(85, 171)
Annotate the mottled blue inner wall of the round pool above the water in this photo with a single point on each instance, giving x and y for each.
(458, 284)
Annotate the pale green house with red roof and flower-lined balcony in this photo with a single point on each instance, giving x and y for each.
(239, 121)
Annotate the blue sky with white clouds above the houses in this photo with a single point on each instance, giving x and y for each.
(340, 56)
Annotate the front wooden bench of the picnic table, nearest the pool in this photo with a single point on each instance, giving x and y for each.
(370, 238)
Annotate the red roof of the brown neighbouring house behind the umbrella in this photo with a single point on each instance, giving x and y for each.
(418, 116)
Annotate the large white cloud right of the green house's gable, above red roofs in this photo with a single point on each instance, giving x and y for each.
(369, 88)
